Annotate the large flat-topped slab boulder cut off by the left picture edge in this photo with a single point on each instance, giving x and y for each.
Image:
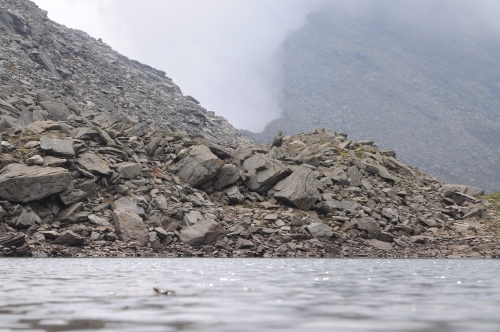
(22, 183)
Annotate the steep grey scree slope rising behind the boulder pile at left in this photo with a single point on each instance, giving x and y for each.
(80, 75)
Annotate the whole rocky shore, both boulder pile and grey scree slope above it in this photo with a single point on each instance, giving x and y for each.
(101, 156)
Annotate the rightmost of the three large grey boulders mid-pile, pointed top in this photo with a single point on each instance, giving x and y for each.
(299, 189)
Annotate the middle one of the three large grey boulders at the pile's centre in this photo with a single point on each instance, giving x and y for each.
(264, 172)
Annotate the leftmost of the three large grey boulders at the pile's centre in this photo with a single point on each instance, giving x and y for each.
(199, 166)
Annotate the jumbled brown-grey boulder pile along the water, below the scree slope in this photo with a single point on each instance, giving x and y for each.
(160, 193)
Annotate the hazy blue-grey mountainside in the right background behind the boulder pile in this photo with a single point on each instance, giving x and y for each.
(431, 95)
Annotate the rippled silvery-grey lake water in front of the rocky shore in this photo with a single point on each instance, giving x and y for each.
(249, 295)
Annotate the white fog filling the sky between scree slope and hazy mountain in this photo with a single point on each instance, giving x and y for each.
(225, 53)
